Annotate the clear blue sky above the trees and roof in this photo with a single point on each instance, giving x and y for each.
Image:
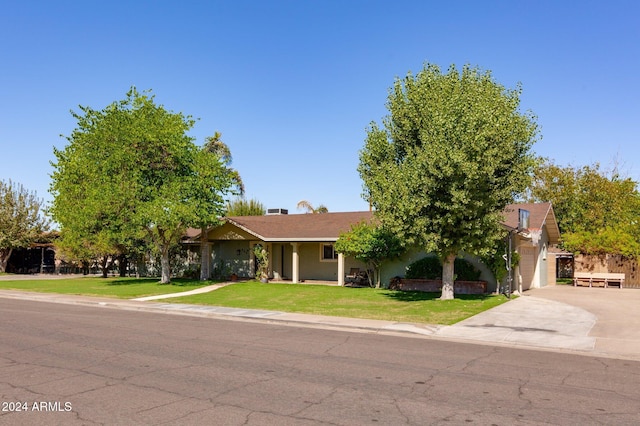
(293, 85)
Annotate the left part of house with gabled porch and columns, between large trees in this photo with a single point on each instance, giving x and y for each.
(300, 245)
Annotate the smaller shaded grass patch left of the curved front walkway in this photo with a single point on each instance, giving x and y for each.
(122, 288)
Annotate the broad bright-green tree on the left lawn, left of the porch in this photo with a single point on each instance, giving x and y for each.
(129, 171)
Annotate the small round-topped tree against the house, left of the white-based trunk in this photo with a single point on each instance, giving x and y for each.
(371, 244)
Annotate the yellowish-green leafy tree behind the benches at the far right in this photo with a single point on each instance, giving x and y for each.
(598, 212)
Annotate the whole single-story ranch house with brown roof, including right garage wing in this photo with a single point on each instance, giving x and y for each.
(301, 246)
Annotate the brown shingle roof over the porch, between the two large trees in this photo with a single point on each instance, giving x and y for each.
(300, 227)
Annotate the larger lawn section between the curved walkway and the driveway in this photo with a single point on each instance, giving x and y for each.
(414, 307)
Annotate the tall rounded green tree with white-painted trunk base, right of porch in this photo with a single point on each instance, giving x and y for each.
(452, 153)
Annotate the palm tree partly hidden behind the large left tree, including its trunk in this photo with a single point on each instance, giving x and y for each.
(214, 146)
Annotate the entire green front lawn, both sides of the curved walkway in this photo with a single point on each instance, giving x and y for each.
(413, 307)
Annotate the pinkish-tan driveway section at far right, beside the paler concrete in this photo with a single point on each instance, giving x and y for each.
(617, 311)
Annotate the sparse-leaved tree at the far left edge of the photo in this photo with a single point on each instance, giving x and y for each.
(21, 220)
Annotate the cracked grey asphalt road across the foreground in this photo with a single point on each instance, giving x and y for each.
(79, 365)
